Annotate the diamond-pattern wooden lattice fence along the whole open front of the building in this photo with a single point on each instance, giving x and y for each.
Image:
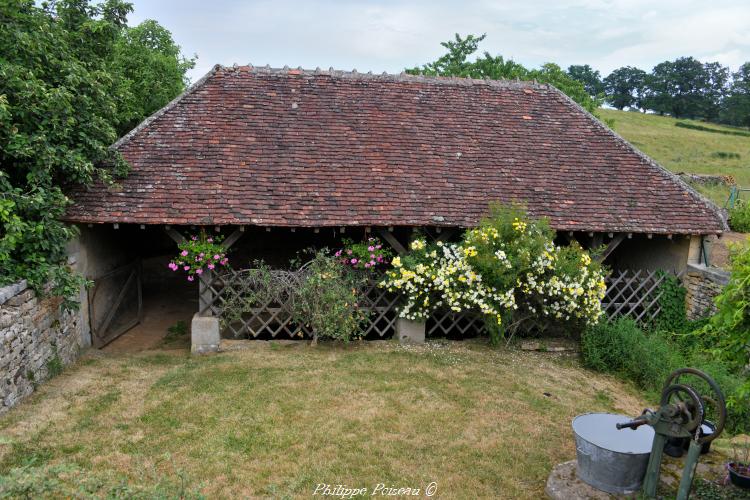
(232, 296)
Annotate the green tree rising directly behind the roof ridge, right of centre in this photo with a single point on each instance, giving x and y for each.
(455, 63)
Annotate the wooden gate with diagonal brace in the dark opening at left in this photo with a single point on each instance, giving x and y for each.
(115, 303)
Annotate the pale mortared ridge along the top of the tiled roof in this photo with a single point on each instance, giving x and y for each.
(385, 76)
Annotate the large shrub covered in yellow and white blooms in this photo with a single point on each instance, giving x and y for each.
(508, 268)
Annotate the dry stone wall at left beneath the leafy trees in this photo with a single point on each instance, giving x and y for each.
(37, 339)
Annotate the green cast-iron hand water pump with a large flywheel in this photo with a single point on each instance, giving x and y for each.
(682, 411)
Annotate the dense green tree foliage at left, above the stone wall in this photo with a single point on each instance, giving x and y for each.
(63, 101)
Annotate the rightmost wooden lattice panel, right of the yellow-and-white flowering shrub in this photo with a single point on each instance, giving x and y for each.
(634, 294)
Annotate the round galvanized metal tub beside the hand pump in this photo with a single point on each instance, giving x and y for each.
(611, 460)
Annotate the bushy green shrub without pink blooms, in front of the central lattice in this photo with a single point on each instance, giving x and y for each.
(328, 299)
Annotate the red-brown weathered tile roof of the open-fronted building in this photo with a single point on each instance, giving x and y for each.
(258, 146)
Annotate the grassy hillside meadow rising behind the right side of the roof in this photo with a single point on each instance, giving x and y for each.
(687, 150)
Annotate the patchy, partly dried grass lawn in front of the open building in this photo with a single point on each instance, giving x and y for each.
(276, 420)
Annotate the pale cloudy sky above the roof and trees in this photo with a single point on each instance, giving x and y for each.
(389, 35)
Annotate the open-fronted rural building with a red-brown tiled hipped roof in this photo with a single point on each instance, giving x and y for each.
(289, 158)
